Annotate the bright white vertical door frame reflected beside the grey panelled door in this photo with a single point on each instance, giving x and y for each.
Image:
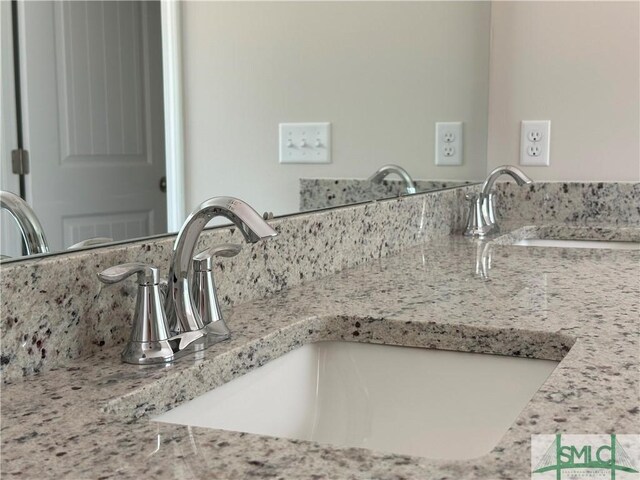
(171, 23)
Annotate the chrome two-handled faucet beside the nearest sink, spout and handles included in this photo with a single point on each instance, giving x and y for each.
(188, 318)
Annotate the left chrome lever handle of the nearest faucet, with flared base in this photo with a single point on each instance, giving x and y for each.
(149, 339)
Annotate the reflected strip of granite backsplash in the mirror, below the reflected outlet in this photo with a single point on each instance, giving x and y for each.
(318, 193)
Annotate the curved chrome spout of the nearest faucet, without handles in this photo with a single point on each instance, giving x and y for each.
(181, 311)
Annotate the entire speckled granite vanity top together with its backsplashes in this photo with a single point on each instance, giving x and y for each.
(396, 272)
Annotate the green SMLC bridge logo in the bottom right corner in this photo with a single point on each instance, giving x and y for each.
(605, 458)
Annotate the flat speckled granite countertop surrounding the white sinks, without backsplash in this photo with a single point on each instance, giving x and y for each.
(90, 419)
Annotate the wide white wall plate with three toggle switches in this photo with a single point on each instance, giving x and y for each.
(305, 142)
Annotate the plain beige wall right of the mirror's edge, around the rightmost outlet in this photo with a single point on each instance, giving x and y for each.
(576, 64)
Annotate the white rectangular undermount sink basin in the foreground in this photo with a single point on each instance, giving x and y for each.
(430, 403)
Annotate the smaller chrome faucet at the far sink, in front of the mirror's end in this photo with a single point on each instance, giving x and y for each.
(481, 215)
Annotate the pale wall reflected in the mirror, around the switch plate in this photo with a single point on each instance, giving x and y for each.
(382, 72)
